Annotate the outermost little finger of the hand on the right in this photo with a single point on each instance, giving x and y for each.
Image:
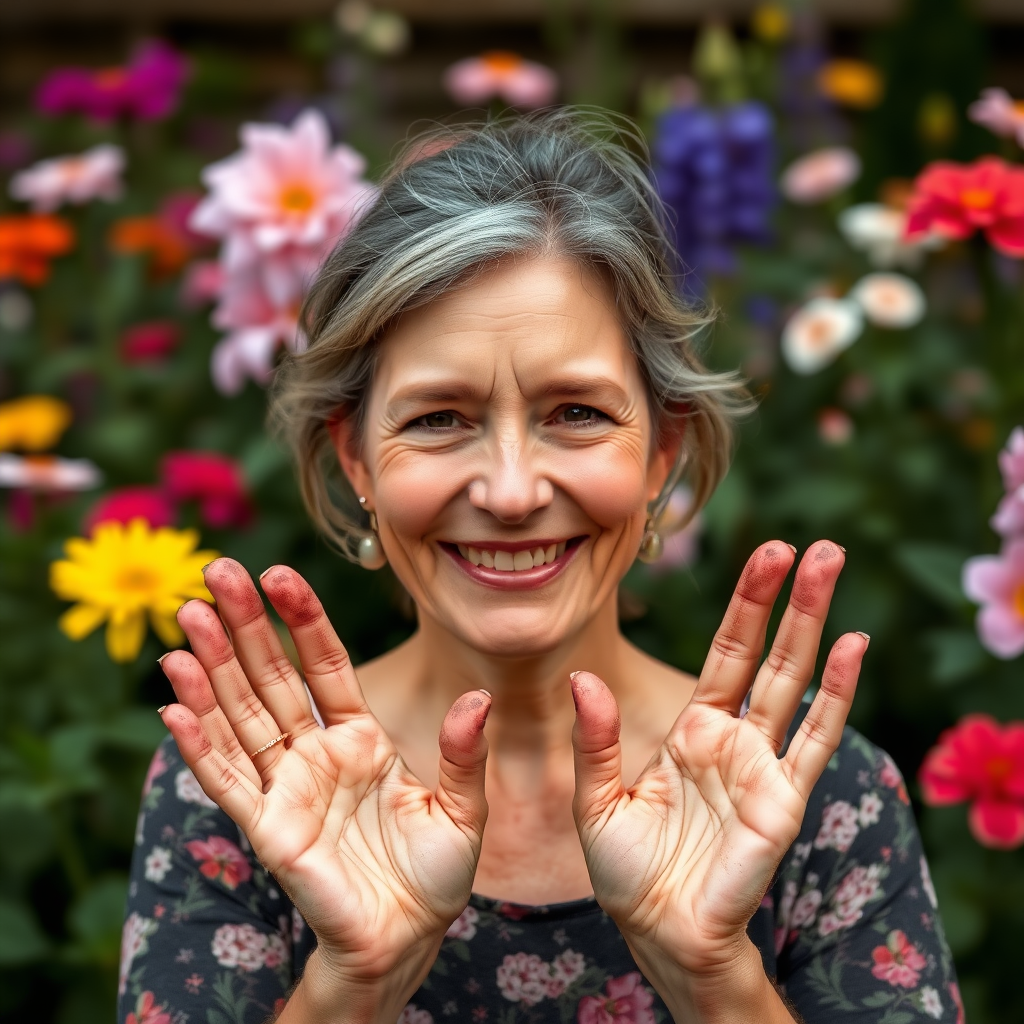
(822, 731)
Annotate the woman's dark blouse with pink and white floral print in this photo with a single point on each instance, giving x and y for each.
(849, 929)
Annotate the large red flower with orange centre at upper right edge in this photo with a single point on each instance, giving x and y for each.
(957, 200)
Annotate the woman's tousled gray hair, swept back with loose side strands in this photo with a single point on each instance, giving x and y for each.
(460, 199)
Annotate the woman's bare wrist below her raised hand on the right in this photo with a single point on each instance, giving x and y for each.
(731, 988)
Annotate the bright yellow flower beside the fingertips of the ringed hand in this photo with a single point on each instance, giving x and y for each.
(122, 574)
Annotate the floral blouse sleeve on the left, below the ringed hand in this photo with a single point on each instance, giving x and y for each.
(207, 935)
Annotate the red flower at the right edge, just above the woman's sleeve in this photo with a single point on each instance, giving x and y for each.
(984, 762)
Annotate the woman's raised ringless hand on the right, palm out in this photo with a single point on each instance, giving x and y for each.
(682, 860)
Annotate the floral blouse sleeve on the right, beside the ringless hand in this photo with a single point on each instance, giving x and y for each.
(858, 931)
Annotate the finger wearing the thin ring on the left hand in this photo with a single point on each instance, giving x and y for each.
(250, 721)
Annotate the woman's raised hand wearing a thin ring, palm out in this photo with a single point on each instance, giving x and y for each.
(377, 865)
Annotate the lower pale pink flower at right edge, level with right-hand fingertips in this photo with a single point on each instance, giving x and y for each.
(997, 583)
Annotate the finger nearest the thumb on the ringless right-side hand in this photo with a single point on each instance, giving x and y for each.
(739, 645)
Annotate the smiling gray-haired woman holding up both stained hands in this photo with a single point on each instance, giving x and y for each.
(499, 397)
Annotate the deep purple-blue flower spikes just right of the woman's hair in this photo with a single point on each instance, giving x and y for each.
(714, 172)
